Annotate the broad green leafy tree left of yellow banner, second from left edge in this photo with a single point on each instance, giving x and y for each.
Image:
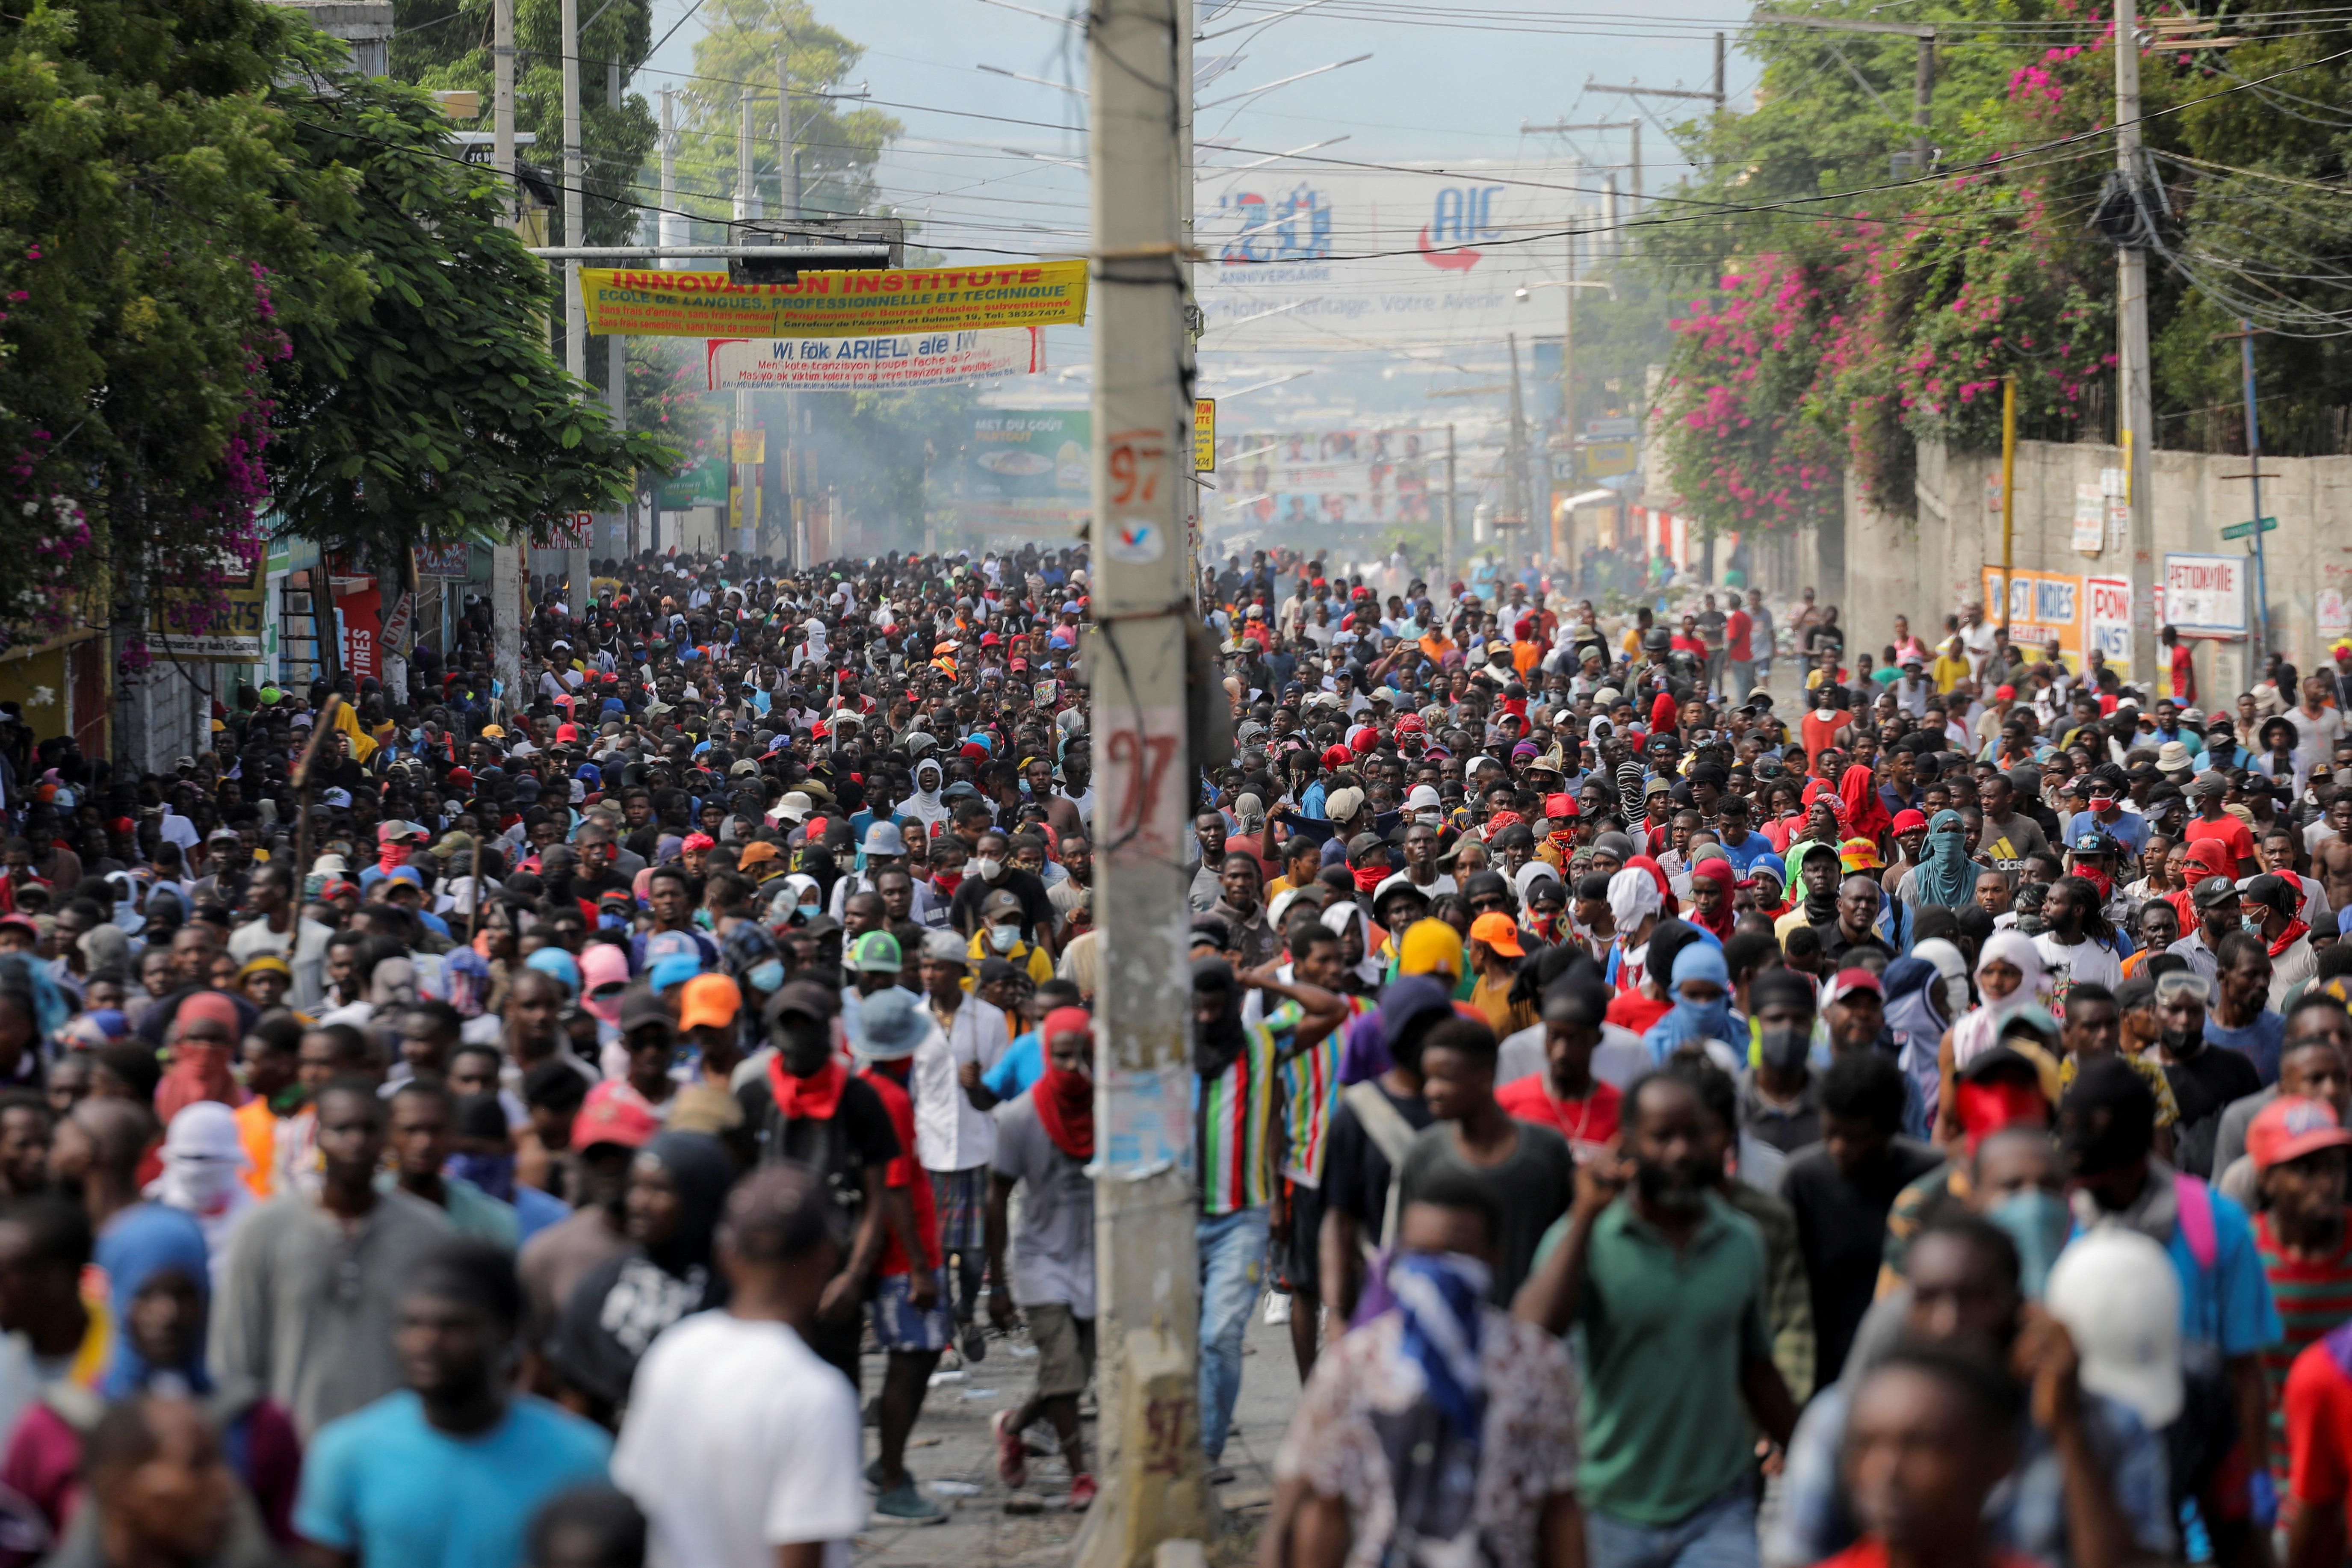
(434, 413)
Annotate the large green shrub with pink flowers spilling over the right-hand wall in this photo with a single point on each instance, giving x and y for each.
(1843, 337)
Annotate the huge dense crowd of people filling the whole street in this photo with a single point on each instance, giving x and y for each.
(1897, 1120)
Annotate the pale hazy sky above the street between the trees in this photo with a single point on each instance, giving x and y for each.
(987, 161)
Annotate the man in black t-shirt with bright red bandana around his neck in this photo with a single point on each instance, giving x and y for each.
(808, 1108)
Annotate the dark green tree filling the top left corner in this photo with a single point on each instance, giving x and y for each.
(145, 255)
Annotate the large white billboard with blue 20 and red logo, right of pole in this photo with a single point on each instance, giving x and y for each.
(1307, 257)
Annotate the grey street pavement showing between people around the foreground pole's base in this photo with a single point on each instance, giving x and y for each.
(954, 1461)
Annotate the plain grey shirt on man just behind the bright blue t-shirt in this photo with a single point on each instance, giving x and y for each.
(307, 1308)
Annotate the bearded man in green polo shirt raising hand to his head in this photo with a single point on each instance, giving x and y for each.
(1669, 1287)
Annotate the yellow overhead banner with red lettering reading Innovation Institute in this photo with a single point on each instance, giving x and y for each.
(834, 304)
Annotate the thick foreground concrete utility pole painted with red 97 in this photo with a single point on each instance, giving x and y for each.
(1147, 1200)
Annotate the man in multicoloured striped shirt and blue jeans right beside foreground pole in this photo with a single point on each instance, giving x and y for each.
(1234, 1160)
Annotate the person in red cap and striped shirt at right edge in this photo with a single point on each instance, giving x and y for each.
(2299, 1160)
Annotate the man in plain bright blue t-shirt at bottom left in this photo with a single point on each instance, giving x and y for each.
(450, 1470)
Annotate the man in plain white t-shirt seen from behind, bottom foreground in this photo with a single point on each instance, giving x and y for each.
(740, 1445)
